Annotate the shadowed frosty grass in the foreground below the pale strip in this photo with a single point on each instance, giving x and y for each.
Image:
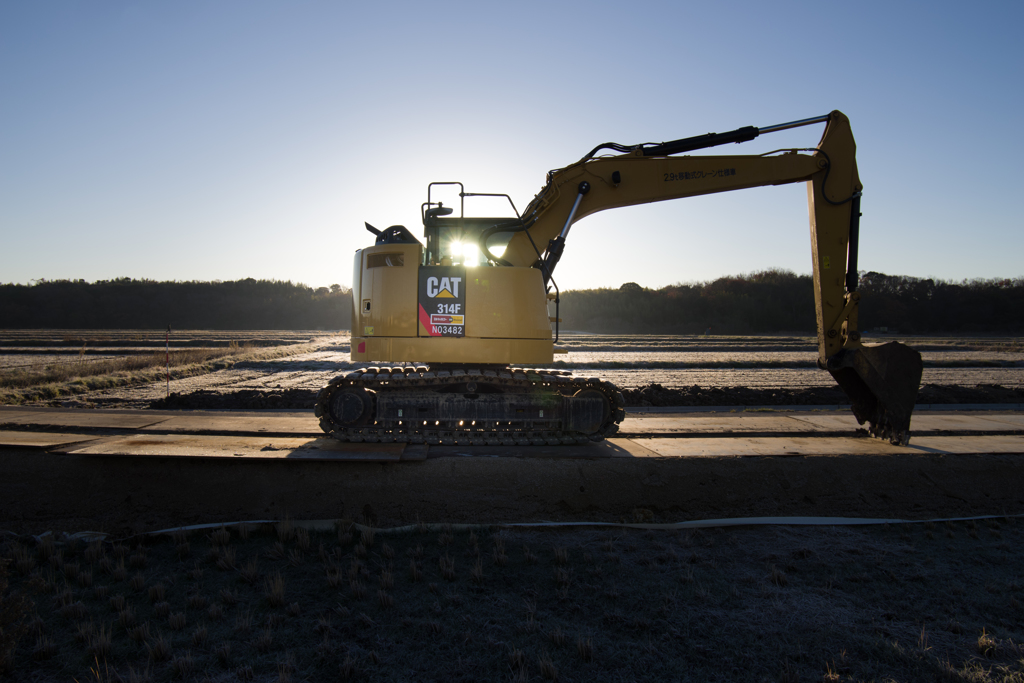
(920, 603)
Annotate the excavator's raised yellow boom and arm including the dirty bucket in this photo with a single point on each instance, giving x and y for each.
(881, 381)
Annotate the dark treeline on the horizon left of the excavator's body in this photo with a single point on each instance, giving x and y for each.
(142, 305)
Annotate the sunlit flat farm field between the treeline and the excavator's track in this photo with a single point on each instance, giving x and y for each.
(629, 362)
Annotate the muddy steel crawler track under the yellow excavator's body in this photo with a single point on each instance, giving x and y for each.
(470, 407)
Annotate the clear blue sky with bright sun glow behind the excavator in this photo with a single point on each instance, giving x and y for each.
(220, 141)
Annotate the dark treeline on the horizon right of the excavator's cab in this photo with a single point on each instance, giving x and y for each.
(783, 302)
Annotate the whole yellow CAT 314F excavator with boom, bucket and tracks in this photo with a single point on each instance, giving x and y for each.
(458, 325)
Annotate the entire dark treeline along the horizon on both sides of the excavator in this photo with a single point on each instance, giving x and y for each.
(763, 303)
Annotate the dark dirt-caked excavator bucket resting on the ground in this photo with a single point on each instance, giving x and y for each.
(882, 381)
